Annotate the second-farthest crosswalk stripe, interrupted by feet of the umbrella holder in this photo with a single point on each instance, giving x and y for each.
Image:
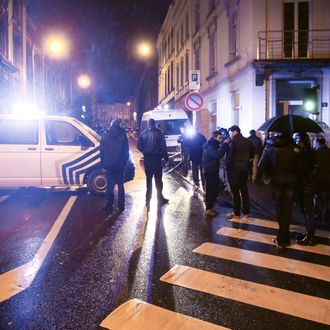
(267, 239)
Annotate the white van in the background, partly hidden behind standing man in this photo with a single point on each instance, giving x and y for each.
(171, 122)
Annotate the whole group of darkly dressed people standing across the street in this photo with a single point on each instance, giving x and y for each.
(294, 167)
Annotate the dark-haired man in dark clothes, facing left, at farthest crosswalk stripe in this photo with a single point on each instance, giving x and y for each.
(238, 158)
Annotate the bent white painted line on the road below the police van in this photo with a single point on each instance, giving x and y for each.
(20, 278)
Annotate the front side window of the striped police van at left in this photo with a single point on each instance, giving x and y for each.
(61, 133)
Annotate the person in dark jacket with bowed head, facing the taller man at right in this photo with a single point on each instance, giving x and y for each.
(211, 164)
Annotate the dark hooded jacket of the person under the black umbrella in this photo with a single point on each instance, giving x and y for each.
(281, 160)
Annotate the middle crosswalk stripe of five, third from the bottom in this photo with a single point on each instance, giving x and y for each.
(265, 260)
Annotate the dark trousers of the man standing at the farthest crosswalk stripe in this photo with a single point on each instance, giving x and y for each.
(238, 186)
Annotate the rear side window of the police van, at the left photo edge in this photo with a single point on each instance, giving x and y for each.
(19, 131)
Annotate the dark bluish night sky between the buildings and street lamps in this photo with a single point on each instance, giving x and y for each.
(104, 33)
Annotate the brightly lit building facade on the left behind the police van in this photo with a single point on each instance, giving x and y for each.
(26, 75)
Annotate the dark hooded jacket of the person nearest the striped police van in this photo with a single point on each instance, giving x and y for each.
(114, 149)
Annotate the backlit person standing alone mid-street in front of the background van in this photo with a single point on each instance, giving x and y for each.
(153, 146)
